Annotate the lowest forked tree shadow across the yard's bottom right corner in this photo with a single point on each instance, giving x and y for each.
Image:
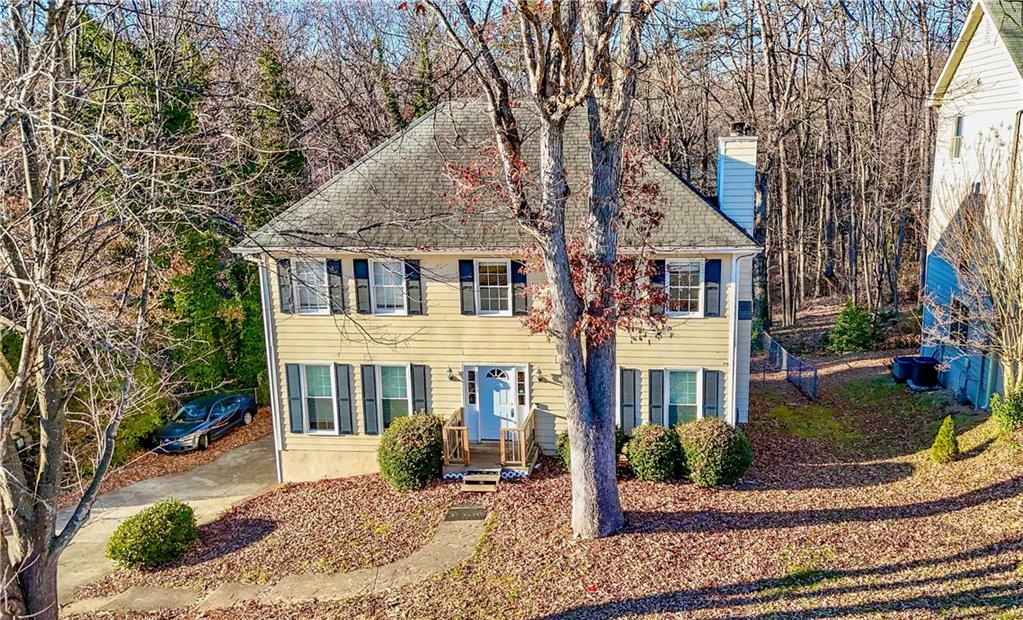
(1004, 595)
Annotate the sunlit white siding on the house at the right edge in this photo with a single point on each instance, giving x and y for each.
(988, 91)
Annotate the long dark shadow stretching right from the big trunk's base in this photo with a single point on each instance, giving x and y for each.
(721, 521)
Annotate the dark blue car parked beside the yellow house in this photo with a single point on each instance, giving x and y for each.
(204, 420)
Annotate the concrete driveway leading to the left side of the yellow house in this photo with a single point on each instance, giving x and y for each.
(209, 490)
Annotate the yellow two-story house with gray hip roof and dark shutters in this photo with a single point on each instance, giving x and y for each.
(383, 296)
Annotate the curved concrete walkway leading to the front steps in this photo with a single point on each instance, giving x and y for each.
(455, 543)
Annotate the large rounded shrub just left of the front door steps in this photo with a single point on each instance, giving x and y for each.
(412, 452)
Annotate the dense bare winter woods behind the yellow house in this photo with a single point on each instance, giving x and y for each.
(836, 92)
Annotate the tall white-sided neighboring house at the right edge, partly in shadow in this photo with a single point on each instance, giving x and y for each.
(980, 100)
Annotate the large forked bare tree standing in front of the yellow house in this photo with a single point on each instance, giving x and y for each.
(573, 55)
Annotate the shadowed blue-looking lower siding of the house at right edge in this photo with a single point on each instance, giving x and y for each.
(968, 373)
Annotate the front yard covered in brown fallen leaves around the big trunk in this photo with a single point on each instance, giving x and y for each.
(841, 516)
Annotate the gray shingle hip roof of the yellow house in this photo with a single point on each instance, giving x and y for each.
(403, 196)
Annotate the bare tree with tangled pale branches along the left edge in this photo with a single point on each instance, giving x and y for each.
(92, 167)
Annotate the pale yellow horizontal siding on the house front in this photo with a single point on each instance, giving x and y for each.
(444, 338)
